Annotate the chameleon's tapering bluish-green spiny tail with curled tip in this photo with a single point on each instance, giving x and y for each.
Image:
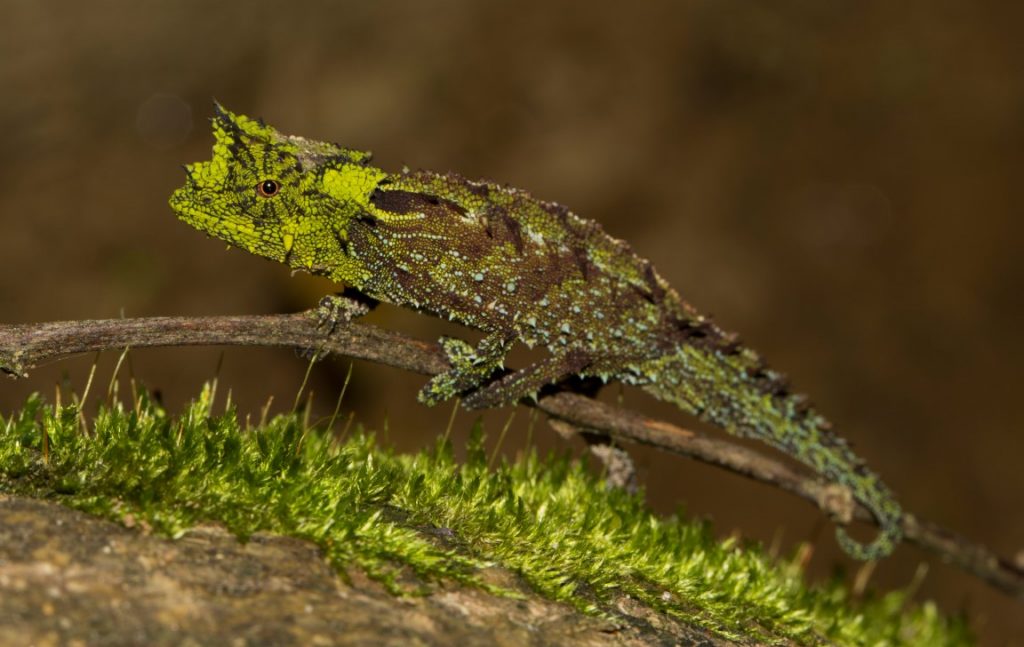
(730, 386)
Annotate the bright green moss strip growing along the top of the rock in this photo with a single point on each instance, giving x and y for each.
(412, 522)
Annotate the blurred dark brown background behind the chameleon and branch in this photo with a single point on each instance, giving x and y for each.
(837, 181)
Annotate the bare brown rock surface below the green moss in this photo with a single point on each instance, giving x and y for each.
(70, 579)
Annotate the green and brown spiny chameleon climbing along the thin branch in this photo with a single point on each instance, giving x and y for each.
(519, 270)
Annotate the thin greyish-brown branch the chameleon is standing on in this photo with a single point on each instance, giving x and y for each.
(26, 347)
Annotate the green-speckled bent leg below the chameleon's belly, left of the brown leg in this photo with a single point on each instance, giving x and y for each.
(471, 368)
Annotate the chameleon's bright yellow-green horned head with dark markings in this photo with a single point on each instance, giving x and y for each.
(264, 192)
